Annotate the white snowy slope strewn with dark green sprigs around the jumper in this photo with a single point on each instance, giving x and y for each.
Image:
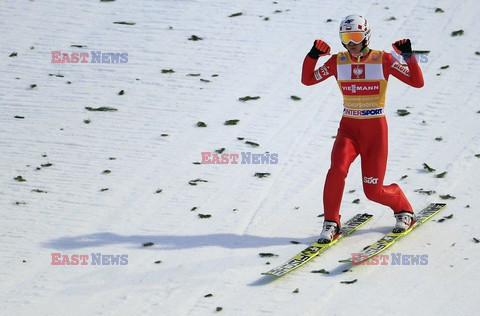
(108, 182)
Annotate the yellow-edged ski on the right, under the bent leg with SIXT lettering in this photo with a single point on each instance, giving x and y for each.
(390, 238)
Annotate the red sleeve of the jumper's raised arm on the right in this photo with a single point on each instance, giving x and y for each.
(412, 75)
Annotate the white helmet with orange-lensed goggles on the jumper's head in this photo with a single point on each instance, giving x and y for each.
(355, 28)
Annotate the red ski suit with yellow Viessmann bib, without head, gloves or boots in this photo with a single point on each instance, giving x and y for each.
(363, 128)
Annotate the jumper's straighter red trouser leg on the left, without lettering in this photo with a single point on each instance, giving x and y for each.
(345, 150)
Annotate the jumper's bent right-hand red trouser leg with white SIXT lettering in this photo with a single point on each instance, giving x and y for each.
(374, 152)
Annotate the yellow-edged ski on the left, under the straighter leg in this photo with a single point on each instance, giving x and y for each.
(315, 248)
